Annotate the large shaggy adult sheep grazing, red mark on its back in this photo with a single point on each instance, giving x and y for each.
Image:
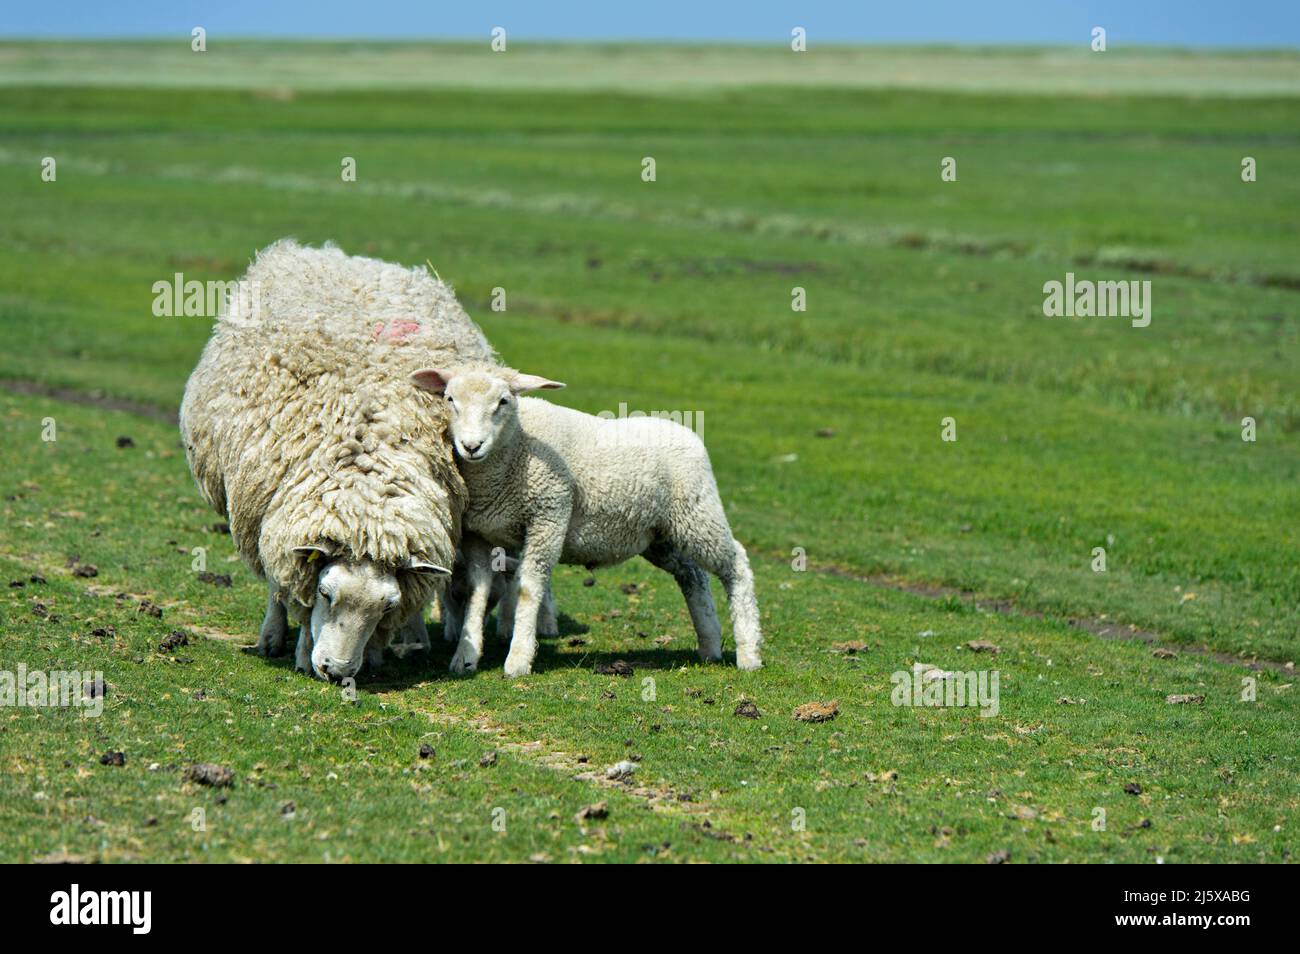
(302, 430)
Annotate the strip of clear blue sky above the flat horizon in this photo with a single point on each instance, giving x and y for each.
(1172, 23)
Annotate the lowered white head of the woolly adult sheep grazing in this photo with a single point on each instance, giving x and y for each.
(352, 599)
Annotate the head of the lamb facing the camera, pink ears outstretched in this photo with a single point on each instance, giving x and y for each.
(483, 405)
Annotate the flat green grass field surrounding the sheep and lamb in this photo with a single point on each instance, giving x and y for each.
(925, 301)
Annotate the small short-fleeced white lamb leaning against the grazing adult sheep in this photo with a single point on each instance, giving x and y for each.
(570, 488)
